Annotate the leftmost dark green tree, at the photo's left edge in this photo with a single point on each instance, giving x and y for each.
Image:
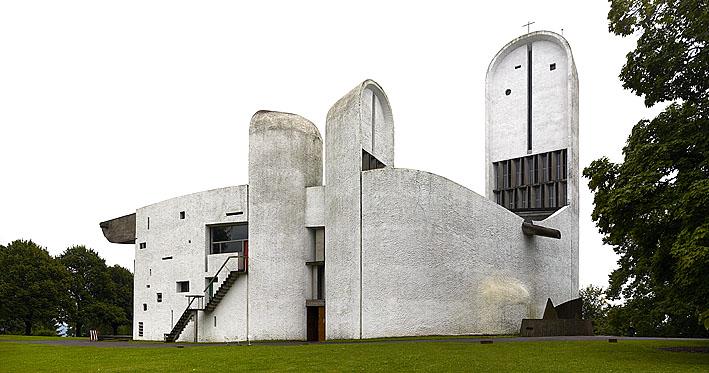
(33, 286)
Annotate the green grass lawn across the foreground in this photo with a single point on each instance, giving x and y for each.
(584, 356)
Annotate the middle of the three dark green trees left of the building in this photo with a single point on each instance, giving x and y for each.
(90, 284)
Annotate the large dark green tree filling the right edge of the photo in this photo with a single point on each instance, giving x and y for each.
(653, 208)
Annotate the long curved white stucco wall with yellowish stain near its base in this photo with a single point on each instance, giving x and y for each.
(440, 259)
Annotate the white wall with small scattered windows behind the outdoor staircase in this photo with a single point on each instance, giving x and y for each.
(187, 242)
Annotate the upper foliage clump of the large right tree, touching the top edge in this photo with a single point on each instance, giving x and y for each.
(670, 60)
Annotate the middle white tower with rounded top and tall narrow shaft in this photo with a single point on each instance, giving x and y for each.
(349, 131)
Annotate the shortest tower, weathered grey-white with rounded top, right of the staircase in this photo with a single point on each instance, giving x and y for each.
(285, 157)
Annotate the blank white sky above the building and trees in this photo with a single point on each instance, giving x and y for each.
(109, 106)
